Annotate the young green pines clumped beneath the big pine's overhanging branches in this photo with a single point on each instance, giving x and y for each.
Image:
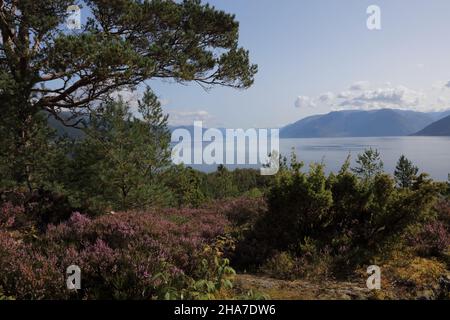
(120, 160)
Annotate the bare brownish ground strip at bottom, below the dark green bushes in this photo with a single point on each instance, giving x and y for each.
(302, 289)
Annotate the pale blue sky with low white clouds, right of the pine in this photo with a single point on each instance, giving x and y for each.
(318, 56)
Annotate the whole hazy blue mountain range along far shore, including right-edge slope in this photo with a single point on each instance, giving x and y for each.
(349, 123)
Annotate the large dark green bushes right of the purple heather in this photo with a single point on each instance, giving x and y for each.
(343, 221)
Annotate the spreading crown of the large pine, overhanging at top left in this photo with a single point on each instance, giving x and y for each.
(122, 44)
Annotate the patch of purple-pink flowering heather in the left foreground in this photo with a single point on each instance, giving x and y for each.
(127, 255)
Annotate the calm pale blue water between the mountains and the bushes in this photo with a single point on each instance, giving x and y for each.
(430, 154)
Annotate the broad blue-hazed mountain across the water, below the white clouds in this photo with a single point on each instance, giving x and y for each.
(359, 123)
